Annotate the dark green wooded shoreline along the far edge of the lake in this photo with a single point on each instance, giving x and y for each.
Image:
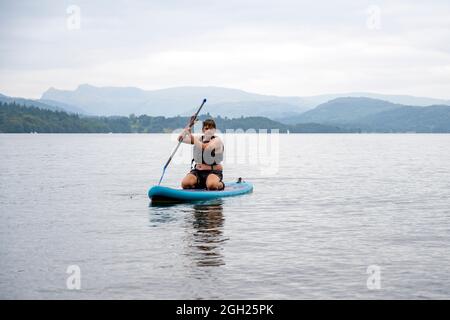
(16, 118)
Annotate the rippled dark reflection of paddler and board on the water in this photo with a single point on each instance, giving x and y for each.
(204, 228)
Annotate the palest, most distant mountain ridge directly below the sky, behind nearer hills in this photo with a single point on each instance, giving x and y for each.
(175, 101)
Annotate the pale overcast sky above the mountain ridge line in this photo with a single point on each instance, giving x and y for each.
(270, 47)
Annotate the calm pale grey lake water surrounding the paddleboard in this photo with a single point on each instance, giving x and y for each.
(333, 206)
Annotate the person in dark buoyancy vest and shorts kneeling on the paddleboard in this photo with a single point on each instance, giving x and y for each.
(208, 153)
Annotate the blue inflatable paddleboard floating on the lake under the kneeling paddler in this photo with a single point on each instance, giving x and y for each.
(163, 194)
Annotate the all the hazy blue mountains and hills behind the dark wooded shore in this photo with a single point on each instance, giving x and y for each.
(367, 112)
